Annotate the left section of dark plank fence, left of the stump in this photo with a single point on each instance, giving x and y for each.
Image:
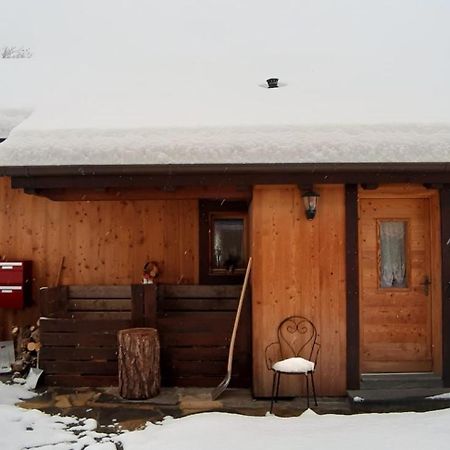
(79, 342)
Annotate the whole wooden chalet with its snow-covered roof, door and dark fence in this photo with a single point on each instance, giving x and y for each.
(216, 167)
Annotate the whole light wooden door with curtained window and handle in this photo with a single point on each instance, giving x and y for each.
(395, 278)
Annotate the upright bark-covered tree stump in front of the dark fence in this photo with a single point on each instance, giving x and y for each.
(139, 371)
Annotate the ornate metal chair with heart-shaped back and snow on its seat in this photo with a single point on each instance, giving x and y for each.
(294, 353)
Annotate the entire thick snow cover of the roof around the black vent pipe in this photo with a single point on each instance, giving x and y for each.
(184, 82)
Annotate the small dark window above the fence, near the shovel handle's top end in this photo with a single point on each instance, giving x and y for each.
(227, 244)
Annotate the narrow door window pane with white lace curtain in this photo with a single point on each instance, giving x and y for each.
(392, 237)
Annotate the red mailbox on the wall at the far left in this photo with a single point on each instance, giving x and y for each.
(15, 284)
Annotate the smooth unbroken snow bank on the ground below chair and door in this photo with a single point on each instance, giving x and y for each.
(230, 431)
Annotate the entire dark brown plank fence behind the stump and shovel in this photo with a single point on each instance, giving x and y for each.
(80, 323)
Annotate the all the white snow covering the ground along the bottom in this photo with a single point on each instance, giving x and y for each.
(21, 428)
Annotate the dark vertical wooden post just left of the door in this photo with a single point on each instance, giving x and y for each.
(352, 285)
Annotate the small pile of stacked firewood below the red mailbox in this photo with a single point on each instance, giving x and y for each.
(27, 345)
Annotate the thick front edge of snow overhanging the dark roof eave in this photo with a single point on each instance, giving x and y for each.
(228, 145)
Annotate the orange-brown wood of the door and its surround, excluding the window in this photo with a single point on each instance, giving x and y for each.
(389, 317)
